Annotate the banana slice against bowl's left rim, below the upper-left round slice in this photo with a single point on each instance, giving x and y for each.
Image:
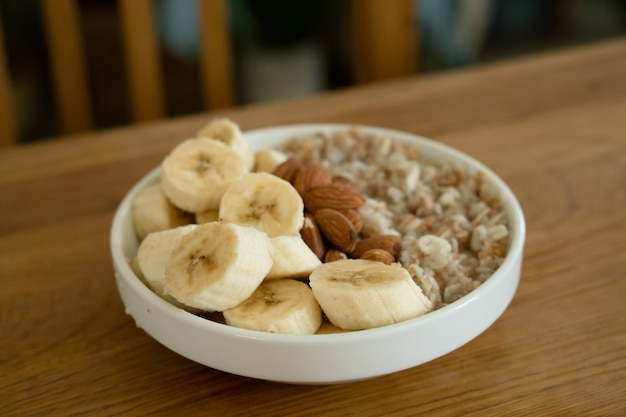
(153, 212)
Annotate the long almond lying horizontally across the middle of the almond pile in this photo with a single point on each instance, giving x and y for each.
(333, 196)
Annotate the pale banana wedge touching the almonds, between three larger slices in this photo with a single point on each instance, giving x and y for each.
(292, 258)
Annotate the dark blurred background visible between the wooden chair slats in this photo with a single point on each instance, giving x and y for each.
(282, 48)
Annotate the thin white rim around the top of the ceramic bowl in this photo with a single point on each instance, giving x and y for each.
(517, 229)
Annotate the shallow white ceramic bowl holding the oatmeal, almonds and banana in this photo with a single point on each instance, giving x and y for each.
(325, 358)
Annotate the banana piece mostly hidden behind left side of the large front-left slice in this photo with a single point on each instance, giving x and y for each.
(154, 252)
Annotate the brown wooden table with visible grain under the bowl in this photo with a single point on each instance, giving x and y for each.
(553, 126)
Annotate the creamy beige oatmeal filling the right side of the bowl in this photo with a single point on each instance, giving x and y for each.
(451, 223)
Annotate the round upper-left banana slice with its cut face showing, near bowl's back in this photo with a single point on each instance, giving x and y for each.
(196, 173)
